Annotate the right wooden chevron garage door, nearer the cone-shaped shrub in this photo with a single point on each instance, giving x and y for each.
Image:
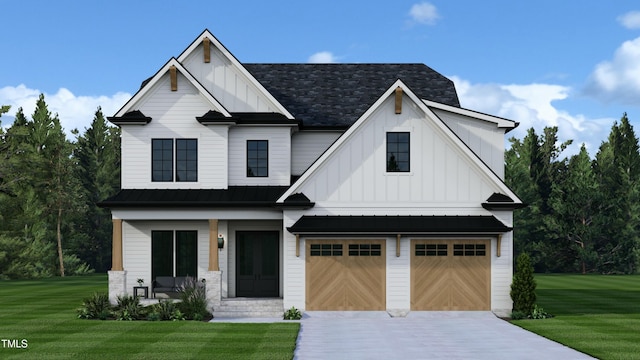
(450, 275)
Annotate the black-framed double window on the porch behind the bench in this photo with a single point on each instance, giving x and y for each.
(174, 253)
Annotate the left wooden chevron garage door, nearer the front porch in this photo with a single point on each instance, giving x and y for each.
(345, 275)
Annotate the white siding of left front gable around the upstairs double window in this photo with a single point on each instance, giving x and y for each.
(173, 116)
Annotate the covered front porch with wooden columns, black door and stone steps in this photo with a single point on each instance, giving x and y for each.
(239, 261)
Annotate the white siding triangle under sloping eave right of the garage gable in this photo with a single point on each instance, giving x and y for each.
(483, 137)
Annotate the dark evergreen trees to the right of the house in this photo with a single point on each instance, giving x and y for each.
(583, 214)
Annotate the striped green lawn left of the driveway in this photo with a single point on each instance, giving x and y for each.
(43, 312)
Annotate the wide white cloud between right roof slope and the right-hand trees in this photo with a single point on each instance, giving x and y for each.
(532, 105)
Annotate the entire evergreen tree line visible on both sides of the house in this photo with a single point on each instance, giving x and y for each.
(583, 214)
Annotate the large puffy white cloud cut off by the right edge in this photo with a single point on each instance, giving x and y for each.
(618, 80)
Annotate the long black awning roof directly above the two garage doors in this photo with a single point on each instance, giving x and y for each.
(398, 225)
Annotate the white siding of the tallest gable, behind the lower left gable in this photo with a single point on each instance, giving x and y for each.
(226, 83)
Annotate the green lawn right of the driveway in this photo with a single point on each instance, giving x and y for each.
(595, 314)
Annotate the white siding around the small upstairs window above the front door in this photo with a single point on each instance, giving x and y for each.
(279, 139)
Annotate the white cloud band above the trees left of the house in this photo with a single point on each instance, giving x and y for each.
(74, 112)
